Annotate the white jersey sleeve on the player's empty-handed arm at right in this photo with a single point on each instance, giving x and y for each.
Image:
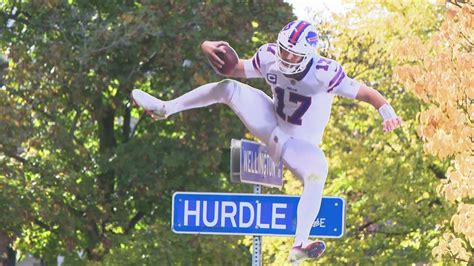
(341, 84)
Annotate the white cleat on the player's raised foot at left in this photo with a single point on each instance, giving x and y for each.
(154, 107)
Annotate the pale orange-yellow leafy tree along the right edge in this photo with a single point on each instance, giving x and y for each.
(439, 72)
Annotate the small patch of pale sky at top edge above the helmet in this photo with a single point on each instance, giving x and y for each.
(301, 7)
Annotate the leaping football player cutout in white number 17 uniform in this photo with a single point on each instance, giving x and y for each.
(292, 122)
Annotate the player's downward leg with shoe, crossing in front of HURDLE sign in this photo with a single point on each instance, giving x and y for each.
(307, 162)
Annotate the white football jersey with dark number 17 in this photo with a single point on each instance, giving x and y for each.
(302, 102)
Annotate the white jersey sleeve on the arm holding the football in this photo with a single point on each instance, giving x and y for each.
(257, 65)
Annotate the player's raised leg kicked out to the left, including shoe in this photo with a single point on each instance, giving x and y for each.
(254, 108)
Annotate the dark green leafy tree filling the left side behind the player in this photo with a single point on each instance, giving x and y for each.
(83, 171)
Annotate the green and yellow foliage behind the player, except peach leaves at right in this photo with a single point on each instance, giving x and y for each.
(86, 176)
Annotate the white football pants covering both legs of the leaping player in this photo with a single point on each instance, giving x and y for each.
(255, 109)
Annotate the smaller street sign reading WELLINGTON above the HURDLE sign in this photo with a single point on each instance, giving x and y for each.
(251, 164)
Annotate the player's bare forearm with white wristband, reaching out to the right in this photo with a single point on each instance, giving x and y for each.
(373, 97)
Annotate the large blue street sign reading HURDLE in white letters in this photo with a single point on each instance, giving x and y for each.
(251, 214)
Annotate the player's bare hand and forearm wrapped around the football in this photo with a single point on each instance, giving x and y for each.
(210, 50)
